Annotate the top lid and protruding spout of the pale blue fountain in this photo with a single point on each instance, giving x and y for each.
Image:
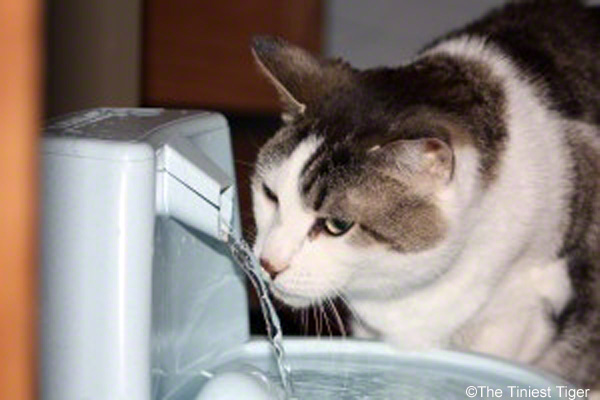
(190, 186)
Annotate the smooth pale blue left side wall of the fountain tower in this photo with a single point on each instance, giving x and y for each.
(97, 230)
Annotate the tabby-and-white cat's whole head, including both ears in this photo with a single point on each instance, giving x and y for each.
(357, 192)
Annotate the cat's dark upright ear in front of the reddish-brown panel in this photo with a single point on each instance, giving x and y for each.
(299, 77)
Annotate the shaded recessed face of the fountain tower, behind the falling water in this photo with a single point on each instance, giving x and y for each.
(200, 307)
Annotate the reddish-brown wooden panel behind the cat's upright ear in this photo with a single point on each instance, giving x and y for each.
(196, 52)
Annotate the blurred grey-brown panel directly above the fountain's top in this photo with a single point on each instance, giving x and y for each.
(93, 54)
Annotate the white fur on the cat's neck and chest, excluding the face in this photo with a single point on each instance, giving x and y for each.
(503, 240)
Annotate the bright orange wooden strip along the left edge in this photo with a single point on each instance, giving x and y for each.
(19, 116)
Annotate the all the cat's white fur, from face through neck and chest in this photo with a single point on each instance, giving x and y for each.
(489, 284)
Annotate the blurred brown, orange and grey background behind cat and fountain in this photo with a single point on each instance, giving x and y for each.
(60, 56)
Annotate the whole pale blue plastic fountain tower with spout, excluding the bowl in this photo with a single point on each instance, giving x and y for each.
(129, 299)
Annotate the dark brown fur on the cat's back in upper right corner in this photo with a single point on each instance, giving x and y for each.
(555, 44)
